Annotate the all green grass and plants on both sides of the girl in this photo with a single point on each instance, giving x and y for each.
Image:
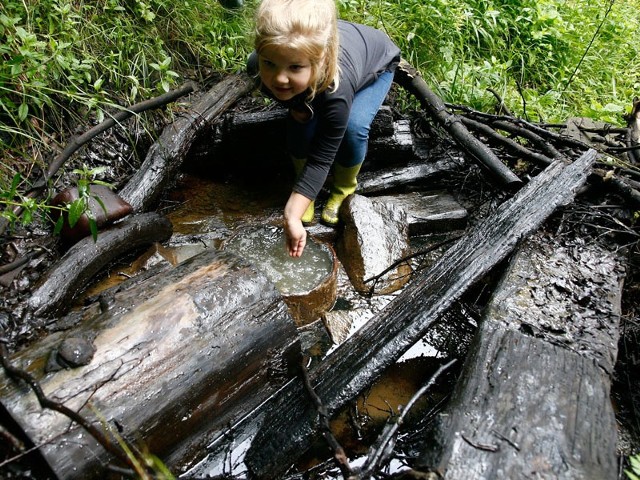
(63, 63)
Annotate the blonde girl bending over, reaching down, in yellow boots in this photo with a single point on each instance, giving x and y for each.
(333, 76)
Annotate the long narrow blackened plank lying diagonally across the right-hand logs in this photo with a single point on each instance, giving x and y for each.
(357, 362)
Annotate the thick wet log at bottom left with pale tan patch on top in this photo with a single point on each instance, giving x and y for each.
(177, 357)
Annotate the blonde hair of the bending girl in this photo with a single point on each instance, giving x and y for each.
(309, 26)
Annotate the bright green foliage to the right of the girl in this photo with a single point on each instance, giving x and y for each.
(548, 60)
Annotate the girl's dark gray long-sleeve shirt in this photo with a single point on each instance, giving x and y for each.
(364, 54)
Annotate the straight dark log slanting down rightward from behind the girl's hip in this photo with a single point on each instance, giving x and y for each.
(409, 78)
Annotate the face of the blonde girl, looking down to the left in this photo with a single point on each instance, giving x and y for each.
(284, 71)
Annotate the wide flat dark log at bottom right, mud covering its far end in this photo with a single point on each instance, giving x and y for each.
(533, 398)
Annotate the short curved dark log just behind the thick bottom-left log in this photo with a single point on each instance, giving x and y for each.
(71, 274)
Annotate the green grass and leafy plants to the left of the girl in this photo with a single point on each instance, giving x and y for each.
(63, 63)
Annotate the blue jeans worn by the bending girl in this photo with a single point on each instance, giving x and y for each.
(353, 148)
